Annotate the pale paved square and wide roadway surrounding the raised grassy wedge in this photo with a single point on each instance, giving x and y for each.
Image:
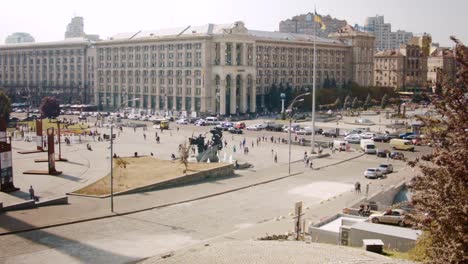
(242, 207)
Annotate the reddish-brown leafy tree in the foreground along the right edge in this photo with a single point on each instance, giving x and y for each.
(440, 188)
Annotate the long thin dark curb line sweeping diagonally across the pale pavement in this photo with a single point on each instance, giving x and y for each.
(163, 205)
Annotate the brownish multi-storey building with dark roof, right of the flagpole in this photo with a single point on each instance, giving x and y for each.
(404, 68)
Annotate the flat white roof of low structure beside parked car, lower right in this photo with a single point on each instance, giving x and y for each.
(388, 230)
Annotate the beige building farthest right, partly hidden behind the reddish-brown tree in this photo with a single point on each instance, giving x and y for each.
(440, 64)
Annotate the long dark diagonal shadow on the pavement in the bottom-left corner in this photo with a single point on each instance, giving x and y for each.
(76, 249)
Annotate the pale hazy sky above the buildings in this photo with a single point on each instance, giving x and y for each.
(46, 20)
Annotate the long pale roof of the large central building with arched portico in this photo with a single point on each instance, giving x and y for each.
(219, 29)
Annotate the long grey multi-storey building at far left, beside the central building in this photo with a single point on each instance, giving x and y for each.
(35, 70)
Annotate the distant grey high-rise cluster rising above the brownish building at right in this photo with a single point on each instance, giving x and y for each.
(384, 37)
